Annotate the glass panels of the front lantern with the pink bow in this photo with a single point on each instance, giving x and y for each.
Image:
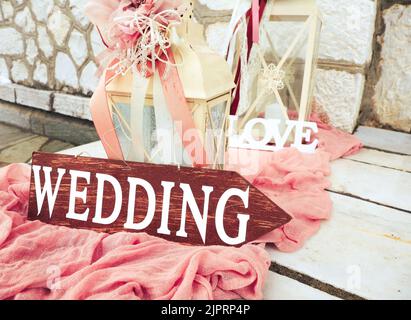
(164, 146)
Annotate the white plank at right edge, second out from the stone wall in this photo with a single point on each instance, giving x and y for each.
(382, 185)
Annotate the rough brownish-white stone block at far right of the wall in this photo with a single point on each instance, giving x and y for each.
(387, 99)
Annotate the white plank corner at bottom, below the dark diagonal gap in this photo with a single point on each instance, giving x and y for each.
(279, 287)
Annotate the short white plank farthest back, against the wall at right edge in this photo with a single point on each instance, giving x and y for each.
(385, 140)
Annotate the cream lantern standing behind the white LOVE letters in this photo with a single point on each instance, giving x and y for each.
(288, 56)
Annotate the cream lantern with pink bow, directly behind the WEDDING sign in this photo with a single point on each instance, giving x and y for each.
(207, 83)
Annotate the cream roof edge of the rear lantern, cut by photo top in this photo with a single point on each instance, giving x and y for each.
(295, 8)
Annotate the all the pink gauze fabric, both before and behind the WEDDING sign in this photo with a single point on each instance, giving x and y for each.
(40, 261)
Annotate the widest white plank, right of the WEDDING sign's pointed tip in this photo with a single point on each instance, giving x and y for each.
(364, 249)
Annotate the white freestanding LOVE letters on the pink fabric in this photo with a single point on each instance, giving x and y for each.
(271, 138)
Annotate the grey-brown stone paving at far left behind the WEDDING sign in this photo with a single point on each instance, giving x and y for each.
(17, 145)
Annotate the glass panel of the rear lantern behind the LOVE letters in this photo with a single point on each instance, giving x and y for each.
(290, 46)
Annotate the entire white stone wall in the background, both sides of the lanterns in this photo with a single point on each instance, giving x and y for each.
(50, 45)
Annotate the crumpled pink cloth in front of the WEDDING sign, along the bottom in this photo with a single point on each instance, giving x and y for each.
(41, 261)
